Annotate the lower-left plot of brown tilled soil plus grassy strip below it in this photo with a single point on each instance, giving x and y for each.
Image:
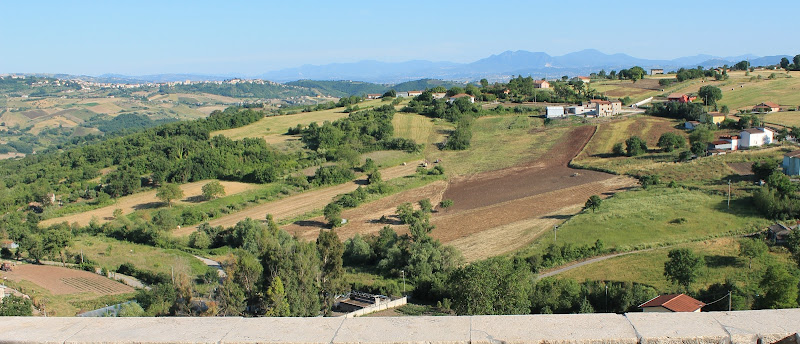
(63, 291)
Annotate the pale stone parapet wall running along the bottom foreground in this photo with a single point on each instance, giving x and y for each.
(764, 326)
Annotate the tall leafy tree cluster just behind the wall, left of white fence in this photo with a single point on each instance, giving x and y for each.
(270, 273)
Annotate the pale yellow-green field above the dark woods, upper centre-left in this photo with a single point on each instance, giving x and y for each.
(273, 129)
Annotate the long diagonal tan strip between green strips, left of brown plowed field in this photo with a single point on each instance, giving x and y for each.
(302, 203)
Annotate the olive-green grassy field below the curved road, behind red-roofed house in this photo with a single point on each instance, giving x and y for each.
(722, 263)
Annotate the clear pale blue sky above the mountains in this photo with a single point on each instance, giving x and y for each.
(252, 37)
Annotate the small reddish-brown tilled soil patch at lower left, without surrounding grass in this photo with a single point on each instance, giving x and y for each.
(60, 280)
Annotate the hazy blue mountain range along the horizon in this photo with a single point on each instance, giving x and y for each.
(498, 67)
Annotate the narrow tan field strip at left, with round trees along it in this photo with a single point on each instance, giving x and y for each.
(147, 200)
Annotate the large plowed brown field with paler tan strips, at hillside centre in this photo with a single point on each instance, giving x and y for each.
(494, 212)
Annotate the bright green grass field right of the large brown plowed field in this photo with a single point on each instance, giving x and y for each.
(649, 218)
